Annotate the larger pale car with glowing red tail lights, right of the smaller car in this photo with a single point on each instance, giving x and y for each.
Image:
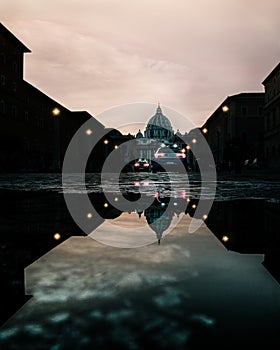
(169, 158)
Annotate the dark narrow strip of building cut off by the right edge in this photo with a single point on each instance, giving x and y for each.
(272, 118)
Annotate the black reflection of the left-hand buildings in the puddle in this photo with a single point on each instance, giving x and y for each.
(30, 227)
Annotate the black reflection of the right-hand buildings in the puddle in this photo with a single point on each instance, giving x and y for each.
(248, 227)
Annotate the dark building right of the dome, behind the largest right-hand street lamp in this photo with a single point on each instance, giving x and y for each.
(235, 130)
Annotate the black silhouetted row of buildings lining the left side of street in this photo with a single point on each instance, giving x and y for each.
(35, 129)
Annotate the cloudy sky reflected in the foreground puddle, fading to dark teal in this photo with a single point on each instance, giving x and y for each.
(188, 292)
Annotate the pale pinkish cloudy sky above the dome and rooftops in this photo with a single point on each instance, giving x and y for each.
(190, 55)
